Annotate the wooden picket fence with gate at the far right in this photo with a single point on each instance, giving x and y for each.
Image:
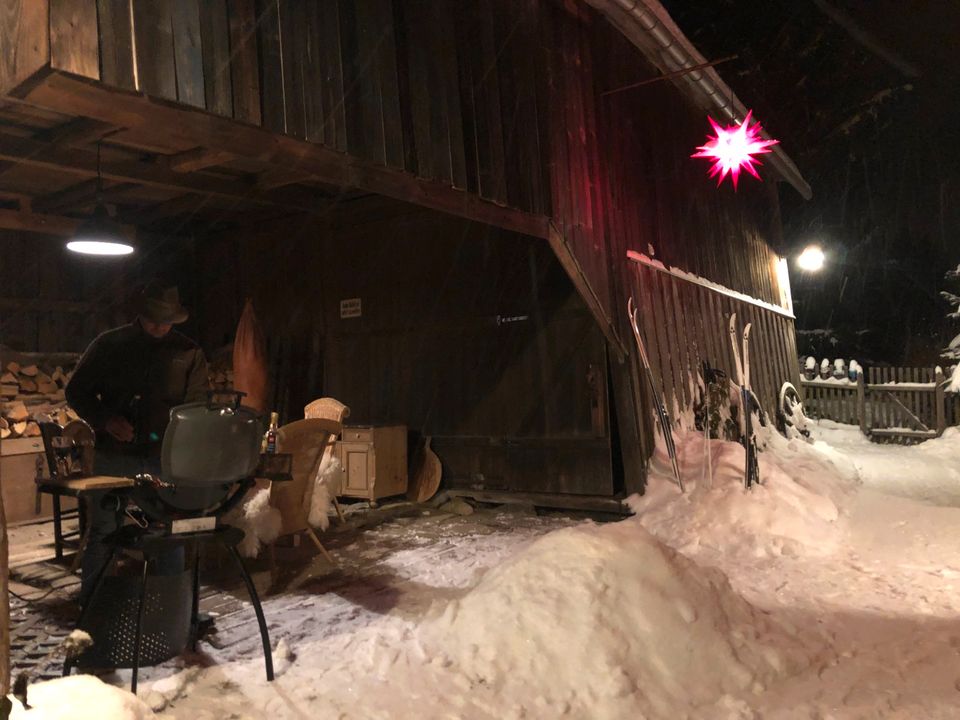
(903, 405)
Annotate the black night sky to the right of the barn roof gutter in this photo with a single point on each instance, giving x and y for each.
(865, 98)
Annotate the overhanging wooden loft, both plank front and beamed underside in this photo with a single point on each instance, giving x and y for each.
(226, 114)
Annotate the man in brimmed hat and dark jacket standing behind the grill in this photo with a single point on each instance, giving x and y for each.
(124, 386)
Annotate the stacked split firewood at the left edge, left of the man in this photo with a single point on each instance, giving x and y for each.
(30, 394)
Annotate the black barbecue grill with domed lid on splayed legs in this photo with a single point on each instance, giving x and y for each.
(210, 458)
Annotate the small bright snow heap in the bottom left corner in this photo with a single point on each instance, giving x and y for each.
(80, 697)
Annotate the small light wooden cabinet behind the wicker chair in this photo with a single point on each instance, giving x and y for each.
(374, 461)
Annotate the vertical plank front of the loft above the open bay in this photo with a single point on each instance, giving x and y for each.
(451, 92)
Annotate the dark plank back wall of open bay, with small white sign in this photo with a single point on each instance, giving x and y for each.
(482, 343)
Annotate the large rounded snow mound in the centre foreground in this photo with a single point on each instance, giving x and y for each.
(606, 621)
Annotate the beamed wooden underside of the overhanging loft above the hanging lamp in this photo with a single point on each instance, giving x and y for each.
(177, 149)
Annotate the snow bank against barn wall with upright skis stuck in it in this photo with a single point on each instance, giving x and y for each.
(795, 510)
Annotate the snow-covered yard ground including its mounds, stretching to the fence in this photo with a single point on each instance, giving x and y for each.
(829, 591)
